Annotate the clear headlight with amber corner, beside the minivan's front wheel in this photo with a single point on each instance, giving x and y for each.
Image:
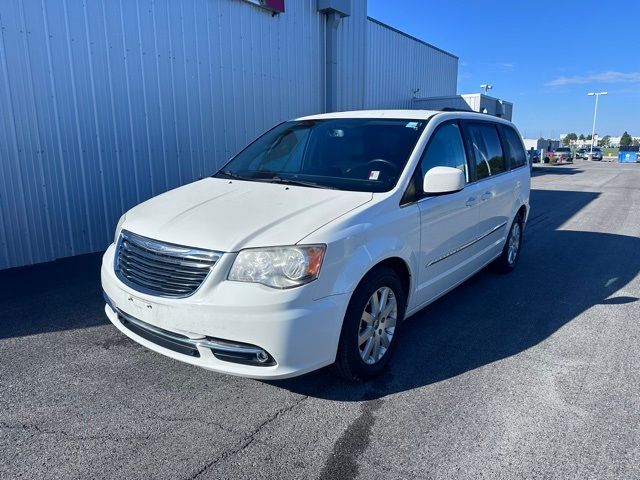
(278, 267)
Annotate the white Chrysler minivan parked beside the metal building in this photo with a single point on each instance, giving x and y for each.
(314, 243)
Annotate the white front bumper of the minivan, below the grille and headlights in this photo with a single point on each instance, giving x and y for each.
(300, 334)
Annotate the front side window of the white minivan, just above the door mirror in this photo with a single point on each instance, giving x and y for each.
(445, 149)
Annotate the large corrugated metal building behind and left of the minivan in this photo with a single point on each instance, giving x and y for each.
(106, 103)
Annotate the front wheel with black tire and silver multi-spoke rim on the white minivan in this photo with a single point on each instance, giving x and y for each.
(350, 361)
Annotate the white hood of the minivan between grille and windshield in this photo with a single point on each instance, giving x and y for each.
(228, 215)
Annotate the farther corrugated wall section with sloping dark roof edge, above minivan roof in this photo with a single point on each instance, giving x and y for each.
(399, 65)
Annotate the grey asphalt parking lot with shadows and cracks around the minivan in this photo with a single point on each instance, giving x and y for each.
(531, 375)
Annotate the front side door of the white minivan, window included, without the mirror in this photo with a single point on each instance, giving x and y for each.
(448, 222)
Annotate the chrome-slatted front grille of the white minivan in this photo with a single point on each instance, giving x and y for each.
(160, 268)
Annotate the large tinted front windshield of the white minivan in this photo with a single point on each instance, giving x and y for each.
(346, 154)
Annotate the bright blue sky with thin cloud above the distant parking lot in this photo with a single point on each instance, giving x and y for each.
(543, 56)
